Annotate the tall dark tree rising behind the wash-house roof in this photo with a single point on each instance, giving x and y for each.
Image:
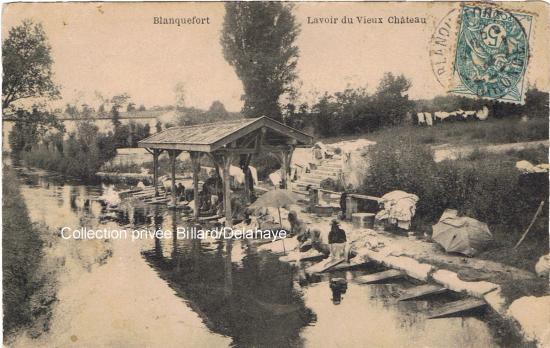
(258, 41)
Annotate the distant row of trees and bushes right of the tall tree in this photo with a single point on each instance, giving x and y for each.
(354, 111)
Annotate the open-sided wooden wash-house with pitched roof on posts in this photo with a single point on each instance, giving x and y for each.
(225, 142)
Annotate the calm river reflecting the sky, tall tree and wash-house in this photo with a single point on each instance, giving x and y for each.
(183, 292)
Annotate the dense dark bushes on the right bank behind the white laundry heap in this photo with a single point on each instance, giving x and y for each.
(483, 186)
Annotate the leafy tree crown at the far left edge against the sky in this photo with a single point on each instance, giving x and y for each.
(27, 64)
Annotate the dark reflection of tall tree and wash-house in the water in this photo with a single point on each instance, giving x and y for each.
(254, 303)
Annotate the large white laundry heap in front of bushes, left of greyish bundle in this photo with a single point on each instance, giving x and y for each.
(399, 208)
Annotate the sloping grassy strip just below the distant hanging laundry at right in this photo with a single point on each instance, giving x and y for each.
(492, 131)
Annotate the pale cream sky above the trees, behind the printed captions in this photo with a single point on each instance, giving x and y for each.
(116, 48)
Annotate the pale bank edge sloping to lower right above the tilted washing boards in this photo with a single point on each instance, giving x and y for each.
(502, 286)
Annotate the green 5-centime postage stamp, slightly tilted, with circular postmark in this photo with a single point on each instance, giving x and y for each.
(492, 54)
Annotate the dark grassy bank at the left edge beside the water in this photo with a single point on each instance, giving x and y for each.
(28, 292)
